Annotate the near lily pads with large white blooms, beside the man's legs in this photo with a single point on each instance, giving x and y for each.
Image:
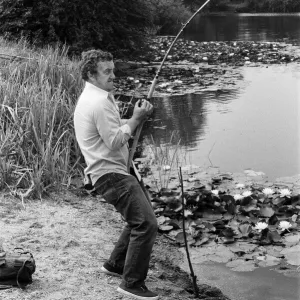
(244, 225)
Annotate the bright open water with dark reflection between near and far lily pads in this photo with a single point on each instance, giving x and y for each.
(253, 127)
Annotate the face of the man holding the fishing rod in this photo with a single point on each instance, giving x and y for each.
(105, 76)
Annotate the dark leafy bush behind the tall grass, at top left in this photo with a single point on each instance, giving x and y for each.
(107, 24)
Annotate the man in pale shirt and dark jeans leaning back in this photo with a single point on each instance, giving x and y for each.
(102, 137)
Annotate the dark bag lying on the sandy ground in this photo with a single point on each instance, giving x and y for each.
(16, 269)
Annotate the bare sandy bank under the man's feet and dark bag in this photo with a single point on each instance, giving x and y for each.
(70, 236)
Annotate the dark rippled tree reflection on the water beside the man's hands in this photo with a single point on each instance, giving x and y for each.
(187, 114)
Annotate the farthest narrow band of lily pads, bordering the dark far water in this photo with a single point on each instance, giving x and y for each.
(231, 52)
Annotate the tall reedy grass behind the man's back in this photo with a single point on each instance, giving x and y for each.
(37, 99)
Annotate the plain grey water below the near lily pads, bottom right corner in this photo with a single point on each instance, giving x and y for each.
(260, 284)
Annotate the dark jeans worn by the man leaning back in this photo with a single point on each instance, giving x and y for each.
(133, 249)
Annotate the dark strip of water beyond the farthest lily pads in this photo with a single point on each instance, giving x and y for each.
(245, 27)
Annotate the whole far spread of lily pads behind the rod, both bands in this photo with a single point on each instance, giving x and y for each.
(194, 66)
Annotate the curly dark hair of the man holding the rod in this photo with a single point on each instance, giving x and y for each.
(89, 62)
